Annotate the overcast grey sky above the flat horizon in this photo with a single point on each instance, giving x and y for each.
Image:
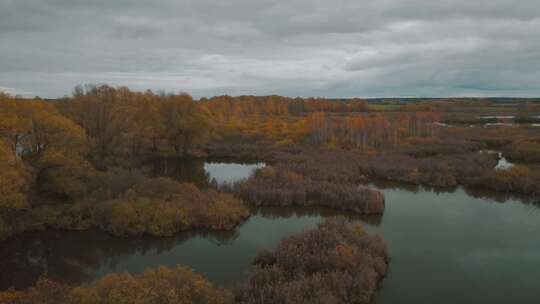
(335, 48)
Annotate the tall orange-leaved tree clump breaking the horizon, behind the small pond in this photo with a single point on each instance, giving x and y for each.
(124, 124)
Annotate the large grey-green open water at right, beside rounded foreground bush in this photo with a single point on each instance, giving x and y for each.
(454, 248)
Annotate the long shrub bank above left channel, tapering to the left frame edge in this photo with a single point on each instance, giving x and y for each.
(127, 203)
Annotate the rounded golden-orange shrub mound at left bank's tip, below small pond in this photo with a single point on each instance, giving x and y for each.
(163, 207)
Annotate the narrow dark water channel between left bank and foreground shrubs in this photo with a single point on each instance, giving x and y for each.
(85, 256)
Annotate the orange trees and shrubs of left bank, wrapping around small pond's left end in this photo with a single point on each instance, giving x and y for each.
(72, 164)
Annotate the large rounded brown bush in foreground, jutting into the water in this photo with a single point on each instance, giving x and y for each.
(334, 263)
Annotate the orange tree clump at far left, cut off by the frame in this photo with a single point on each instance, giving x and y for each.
(34, 132)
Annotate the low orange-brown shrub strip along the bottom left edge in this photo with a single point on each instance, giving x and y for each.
(161, 285)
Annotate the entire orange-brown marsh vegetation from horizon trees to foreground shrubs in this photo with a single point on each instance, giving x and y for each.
(80, 163)
